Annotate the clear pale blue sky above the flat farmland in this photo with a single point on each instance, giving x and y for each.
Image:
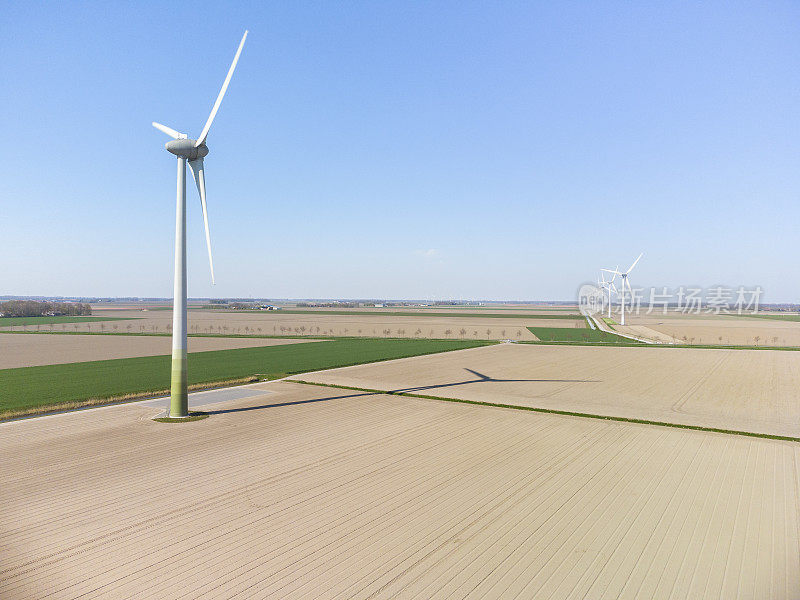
(497, 150)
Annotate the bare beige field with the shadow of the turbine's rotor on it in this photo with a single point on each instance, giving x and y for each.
(746, 390)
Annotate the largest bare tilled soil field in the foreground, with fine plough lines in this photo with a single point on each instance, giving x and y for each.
(306, 492)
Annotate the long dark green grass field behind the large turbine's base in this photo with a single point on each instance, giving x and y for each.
(30, 388)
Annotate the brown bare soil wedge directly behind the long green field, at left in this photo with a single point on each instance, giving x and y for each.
(22, 350)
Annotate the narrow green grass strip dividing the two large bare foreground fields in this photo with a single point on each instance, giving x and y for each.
(553, 411)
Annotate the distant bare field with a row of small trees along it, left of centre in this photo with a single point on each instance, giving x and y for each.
(270, 323)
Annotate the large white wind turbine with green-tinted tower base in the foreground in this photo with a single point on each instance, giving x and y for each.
(193, 151)
